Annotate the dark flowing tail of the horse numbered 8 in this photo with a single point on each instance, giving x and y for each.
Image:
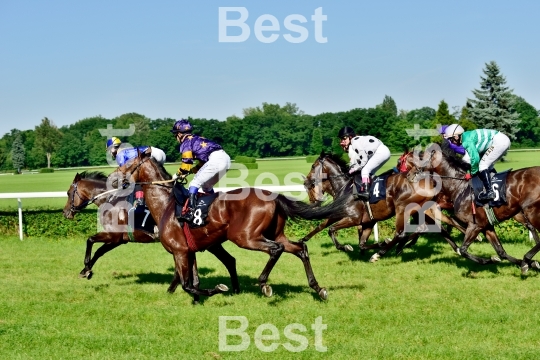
(295, 209)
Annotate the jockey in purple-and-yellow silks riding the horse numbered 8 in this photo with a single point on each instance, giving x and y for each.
(213, 162)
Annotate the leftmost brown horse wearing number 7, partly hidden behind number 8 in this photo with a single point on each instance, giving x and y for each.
(88, 188)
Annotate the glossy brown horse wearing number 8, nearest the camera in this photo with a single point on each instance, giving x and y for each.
(251, 218)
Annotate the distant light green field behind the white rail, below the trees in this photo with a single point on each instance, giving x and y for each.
(273, 172)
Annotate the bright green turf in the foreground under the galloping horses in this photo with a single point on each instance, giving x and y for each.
(427, 303)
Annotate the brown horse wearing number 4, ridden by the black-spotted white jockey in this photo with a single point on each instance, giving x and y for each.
(329, 175)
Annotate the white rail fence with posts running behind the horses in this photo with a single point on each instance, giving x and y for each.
(60, 194)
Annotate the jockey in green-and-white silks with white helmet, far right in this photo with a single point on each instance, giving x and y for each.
(484, 146)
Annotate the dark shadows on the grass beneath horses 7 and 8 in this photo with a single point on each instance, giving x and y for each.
(248, 284)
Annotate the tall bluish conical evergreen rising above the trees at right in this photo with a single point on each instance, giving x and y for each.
(492, 107)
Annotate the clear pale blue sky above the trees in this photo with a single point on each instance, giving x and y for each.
(69, 60)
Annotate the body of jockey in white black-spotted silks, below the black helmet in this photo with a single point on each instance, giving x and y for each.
(368, 154)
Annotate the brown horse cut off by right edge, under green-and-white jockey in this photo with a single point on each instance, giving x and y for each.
(522, 194)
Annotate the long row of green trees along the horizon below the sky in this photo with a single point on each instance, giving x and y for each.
(273, 130)
